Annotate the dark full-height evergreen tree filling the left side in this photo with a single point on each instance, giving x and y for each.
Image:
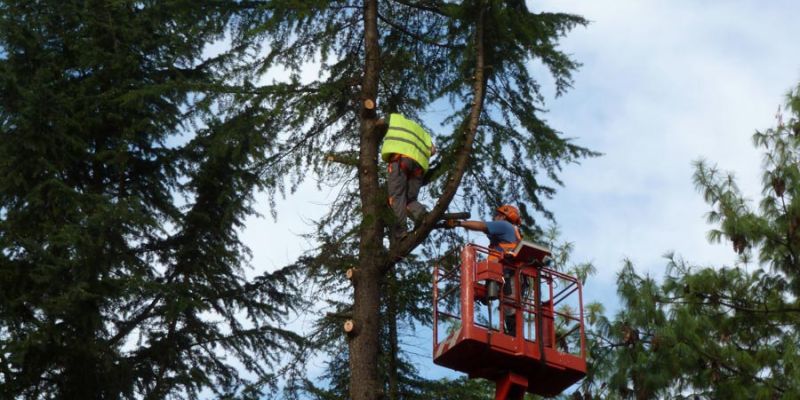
(124, 178)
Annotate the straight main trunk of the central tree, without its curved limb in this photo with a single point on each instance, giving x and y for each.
(364, 346)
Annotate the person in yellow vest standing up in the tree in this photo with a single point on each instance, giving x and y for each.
(407, 147)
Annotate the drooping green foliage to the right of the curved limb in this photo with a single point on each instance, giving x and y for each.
(515, 147)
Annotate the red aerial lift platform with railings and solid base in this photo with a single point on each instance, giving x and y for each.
(510, 319)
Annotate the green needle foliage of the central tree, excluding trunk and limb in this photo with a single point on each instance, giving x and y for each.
(427, 55)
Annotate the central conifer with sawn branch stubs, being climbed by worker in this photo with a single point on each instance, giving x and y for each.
(407, 54)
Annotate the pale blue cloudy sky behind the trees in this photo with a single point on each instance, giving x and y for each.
(663, 83)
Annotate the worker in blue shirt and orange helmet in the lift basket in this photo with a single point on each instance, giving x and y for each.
(503, 234)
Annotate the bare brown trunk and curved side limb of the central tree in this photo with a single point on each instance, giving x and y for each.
(365, 384)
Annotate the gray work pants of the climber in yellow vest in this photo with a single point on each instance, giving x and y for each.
(405, 180)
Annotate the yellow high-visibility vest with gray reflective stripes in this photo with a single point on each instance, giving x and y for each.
(407, 138)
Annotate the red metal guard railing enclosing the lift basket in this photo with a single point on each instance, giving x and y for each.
(560, 304)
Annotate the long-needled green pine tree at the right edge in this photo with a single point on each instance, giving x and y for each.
(725, 332)
